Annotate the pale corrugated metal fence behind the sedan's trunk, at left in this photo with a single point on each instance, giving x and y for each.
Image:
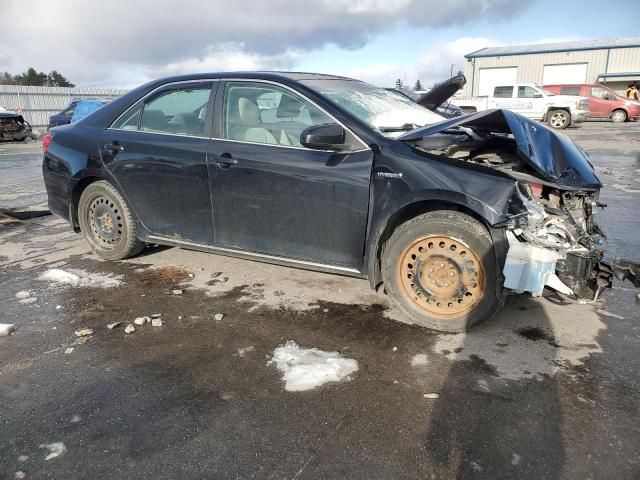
(38, 103)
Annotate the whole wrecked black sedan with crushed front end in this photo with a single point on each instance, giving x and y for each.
(333, 174)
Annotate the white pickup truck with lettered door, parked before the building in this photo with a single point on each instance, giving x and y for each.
(532, 101)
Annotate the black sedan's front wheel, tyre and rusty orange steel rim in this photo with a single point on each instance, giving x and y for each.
(440, 269)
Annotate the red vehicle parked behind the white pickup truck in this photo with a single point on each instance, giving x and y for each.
(603, 102)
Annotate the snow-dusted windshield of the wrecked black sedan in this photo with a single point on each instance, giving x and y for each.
(389, 112)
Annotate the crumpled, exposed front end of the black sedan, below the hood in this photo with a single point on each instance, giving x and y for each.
(556, 243)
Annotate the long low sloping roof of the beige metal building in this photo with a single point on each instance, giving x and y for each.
(571, 46)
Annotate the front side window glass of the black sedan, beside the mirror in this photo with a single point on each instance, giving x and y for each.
(263, 113)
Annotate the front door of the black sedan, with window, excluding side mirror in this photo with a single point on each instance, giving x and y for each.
(274, 197)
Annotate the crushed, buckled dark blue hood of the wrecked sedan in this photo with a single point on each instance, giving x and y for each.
(552, 156)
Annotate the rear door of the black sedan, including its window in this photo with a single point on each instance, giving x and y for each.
(156, 152)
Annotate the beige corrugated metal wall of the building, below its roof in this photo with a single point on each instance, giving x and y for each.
(531, 67)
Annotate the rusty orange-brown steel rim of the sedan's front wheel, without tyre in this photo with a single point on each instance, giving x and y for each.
(442, 275)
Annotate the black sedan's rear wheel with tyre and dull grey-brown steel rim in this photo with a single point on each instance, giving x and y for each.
(107, 223)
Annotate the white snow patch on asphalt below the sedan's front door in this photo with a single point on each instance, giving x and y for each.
(307, 368)
